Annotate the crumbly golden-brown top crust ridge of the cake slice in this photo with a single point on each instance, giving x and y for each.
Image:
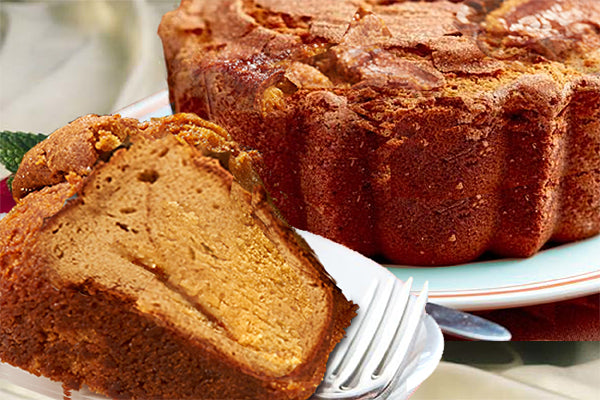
(77, 147)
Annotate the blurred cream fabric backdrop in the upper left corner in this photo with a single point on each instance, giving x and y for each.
(63, 59)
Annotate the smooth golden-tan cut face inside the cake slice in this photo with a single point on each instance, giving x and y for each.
(172, 230)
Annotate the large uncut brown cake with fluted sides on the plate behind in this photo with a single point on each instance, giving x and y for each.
(428, 132)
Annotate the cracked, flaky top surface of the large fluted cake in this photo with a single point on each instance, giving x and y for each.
(408, 45)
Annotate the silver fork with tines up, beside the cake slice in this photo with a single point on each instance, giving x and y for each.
(366, 362)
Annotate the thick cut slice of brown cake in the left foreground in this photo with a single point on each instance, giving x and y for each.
(146, 270)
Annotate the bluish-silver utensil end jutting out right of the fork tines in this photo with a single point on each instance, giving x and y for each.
(464, 325)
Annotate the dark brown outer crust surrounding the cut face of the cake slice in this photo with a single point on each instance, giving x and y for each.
(88, 333)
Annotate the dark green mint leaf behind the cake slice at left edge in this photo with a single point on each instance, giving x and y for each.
(13, 146)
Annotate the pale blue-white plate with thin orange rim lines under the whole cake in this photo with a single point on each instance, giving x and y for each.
(559, 273)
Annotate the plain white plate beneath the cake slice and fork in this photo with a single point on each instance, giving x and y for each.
(353, 274)
